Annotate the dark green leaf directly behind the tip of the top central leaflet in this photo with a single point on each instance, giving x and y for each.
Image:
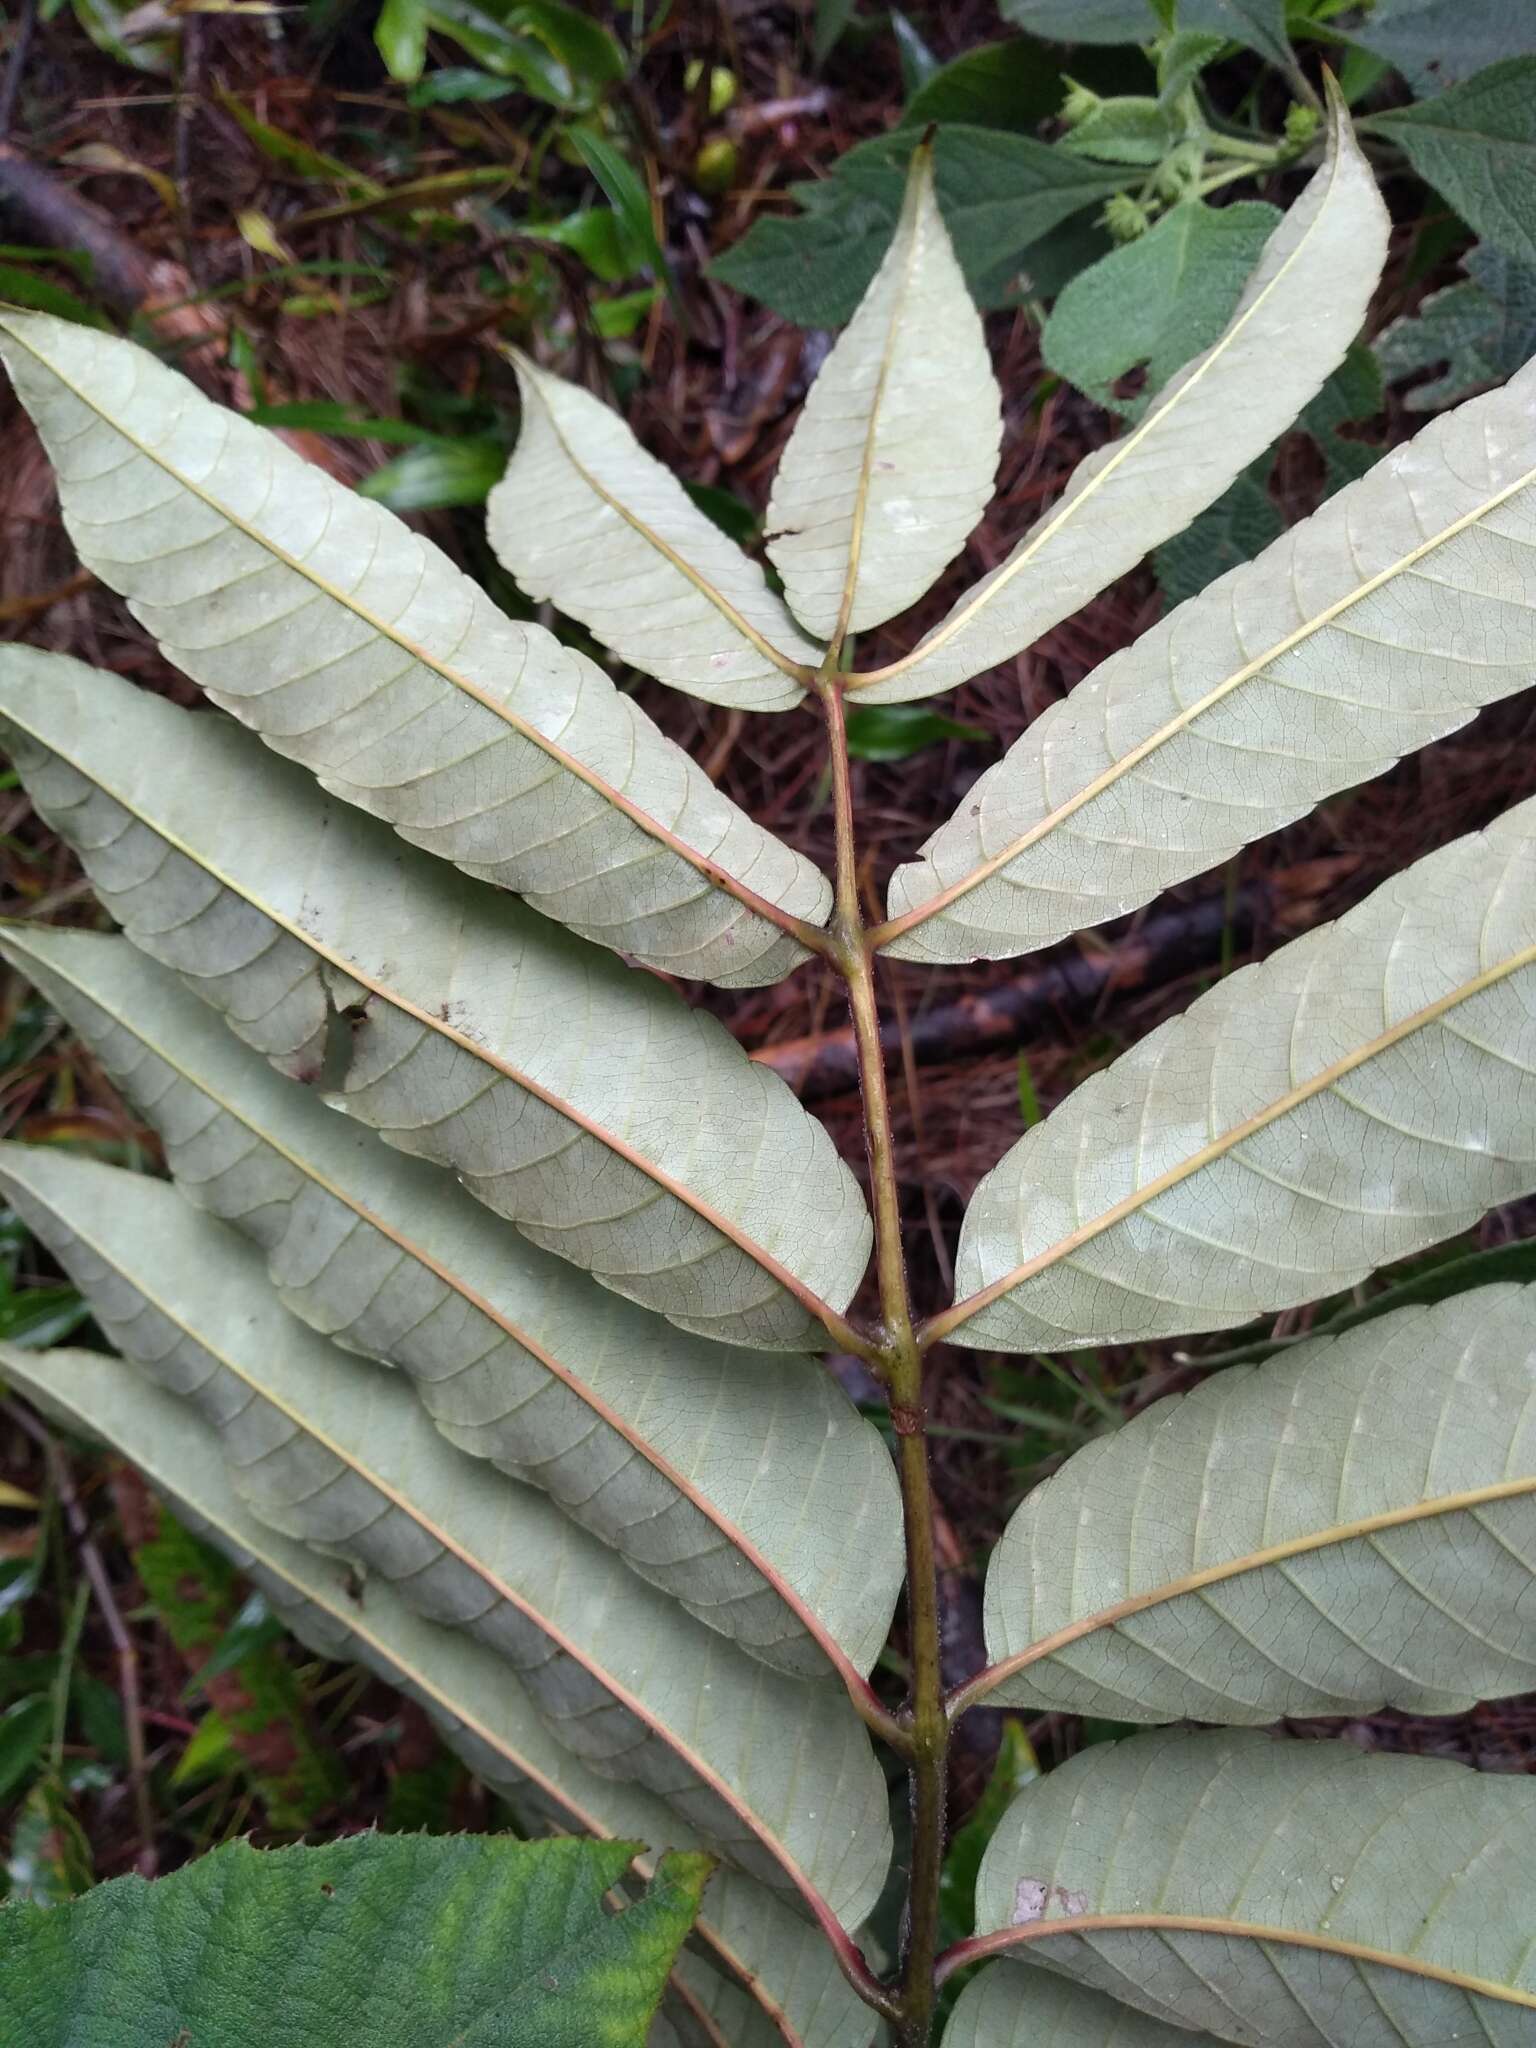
(998, 194)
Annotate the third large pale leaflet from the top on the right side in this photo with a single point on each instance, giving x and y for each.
(1347, 1529)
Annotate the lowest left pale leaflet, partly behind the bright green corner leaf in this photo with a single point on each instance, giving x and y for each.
(785, 1967)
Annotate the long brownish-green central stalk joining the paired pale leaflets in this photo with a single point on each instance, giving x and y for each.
(902, 1371)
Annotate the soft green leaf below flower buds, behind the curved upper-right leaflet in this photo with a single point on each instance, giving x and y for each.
(1158, 300)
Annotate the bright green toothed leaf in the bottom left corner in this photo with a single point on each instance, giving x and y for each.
(372, 1943)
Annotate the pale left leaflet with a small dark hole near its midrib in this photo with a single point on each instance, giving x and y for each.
(615, 1125)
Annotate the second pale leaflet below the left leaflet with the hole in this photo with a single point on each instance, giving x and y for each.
(773, 1773)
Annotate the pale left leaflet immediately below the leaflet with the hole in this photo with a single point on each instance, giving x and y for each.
(650, 1439)
